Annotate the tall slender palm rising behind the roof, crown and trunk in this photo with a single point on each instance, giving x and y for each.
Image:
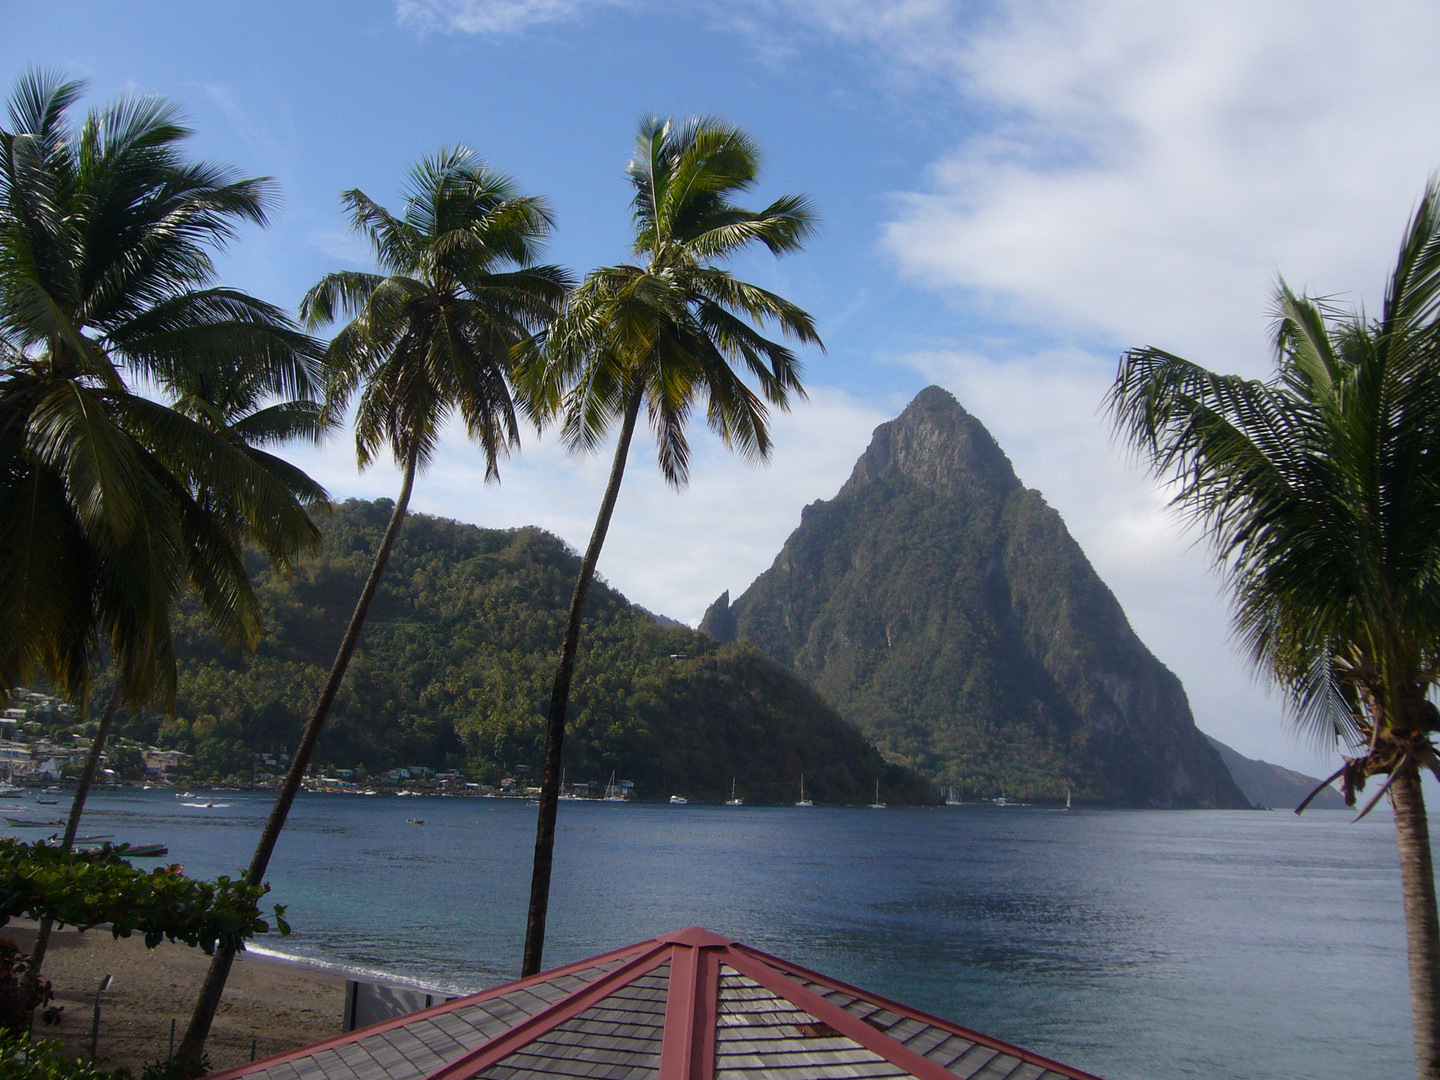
(665, 335)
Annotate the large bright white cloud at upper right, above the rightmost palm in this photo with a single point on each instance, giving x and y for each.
(1153, 166)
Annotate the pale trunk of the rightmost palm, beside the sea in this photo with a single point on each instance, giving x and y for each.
(1422, 924)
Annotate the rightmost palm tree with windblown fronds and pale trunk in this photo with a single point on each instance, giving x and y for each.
(1320, 495)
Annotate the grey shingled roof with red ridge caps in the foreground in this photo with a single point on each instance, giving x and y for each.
(688, 1006)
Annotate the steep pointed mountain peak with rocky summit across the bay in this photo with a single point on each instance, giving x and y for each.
(945, 610)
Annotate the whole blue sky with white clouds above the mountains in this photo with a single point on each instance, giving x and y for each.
(1012, 192)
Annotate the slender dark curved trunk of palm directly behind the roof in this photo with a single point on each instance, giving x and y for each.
(561, 701)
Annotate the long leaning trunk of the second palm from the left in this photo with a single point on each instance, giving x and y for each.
(192, 1048)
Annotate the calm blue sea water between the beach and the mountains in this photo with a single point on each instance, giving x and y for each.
(1137, 945)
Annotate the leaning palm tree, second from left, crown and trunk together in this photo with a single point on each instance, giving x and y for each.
(436, 335)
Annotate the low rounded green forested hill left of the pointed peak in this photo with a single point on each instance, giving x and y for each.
(456, 666)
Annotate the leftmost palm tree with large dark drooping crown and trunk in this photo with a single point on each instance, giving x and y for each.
(112, 503)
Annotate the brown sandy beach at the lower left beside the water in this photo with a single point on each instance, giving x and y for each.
(270, 1004)
